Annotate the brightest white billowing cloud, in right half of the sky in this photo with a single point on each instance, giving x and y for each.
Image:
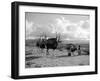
(79, 30)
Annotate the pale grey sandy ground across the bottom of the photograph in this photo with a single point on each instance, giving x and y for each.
(38, 59)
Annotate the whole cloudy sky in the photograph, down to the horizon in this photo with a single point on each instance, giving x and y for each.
(70, 26)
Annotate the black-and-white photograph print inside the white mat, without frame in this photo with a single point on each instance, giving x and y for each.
(54, 40)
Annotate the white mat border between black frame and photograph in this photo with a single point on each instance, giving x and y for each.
(53, 70)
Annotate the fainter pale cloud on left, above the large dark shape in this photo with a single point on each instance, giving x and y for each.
(34, 30)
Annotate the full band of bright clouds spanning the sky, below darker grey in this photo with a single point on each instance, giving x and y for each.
(69, 30)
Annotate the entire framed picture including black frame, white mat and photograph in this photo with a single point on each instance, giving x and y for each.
(51, 40)
